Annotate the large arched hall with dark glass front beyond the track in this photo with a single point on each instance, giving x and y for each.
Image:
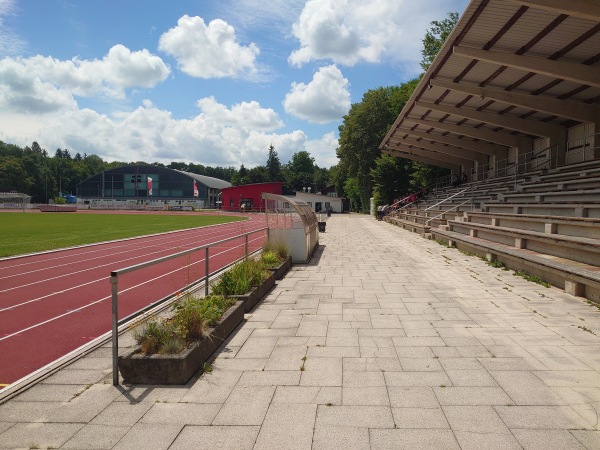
(151, 184)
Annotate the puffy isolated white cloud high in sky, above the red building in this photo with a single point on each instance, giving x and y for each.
(209, 51)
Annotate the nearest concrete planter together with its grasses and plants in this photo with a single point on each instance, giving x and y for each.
(171, 350)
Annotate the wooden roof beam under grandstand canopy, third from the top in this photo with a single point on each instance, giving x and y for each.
(582, 112)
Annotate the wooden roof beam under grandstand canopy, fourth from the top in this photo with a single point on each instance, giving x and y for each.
(514, 123)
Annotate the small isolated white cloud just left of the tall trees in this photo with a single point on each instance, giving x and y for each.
(326, 98)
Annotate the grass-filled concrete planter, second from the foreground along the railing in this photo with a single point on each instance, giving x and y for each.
(249, 280)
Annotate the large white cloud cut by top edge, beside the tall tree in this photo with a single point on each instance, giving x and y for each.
(348, 32)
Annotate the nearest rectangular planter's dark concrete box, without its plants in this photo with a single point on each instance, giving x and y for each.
(138, 368)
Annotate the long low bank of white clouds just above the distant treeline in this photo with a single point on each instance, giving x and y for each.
(217, 135)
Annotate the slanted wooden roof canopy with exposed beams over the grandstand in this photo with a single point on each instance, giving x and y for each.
(516, 87)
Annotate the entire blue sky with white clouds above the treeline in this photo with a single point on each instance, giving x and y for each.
(212, 82)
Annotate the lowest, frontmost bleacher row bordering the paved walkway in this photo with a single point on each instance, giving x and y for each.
(576, 278)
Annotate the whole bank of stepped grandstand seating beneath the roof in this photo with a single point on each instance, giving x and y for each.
(544, 223)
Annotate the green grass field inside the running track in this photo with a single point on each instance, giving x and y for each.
(28, 233)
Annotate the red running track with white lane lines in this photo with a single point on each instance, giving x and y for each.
(53, 303)
